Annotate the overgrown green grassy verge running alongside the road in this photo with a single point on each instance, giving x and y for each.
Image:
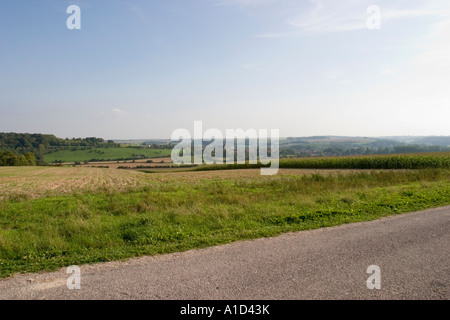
(52, 232)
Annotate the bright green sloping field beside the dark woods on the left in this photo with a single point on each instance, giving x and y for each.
(104, 154)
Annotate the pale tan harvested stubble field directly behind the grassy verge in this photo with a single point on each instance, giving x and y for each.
(36, 182)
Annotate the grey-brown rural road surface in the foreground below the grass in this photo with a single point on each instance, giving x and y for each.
(412, 251)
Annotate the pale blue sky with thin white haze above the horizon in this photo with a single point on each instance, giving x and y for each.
(140, 69)
